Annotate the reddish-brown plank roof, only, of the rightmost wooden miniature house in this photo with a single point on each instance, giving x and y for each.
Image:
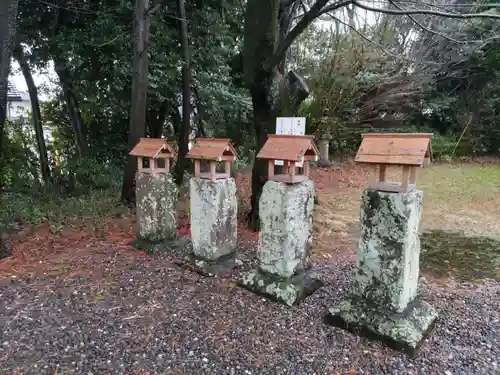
(395, 148)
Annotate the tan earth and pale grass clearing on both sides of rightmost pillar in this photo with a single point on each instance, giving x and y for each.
(463, 198)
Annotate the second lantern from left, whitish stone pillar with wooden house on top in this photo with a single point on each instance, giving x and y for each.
(214, 207)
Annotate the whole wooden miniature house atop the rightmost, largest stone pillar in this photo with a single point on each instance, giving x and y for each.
(407, 150)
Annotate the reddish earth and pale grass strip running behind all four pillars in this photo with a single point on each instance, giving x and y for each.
(462, 198)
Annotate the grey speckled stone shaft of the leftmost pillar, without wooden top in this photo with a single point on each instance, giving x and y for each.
(156, 195)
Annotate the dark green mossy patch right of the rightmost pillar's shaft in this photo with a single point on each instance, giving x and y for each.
(467, 258)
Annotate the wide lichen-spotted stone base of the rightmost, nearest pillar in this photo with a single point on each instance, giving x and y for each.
(404, 331)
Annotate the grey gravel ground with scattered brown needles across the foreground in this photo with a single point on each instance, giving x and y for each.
(153, 317)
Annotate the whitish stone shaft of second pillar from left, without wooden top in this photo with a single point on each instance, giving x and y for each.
(214, 209)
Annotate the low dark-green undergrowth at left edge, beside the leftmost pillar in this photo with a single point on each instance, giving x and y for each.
(86, 192)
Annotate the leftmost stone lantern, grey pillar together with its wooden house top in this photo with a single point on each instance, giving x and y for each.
(156, 192)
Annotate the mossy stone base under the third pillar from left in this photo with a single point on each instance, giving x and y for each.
(290, 290)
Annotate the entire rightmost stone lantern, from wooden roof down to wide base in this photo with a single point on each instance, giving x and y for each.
(384, 301)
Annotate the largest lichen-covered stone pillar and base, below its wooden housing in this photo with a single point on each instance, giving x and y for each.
(384, 299)
